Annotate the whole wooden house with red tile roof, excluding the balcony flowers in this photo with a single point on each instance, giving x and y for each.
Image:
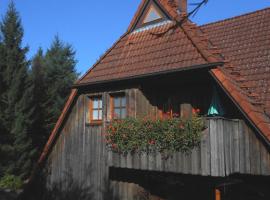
(164, 64)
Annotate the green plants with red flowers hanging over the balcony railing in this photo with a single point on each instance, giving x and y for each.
(147, 135)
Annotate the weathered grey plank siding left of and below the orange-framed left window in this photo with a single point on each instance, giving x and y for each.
(80, 153)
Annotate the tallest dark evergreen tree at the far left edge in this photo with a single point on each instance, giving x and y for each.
(16, 98)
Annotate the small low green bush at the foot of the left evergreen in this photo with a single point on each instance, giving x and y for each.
(11, 182)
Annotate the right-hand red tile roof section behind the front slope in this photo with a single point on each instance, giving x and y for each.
(245, 42)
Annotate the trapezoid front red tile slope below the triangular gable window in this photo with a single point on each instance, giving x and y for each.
(146, 52)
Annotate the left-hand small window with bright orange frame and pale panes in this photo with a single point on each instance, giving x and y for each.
(96, 109)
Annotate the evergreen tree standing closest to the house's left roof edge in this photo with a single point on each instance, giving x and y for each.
(60, 75)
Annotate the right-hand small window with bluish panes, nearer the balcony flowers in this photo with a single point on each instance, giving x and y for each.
(118, 107)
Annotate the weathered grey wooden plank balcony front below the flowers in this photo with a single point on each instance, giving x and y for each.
(227, 147)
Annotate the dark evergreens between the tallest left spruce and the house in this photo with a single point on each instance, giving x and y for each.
(52, 75)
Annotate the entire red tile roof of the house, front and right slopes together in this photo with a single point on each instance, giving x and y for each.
(242, 42)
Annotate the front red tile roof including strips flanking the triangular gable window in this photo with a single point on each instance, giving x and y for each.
(164, 48)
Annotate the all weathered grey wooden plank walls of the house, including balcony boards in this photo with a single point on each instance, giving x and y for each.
(228, 147)
